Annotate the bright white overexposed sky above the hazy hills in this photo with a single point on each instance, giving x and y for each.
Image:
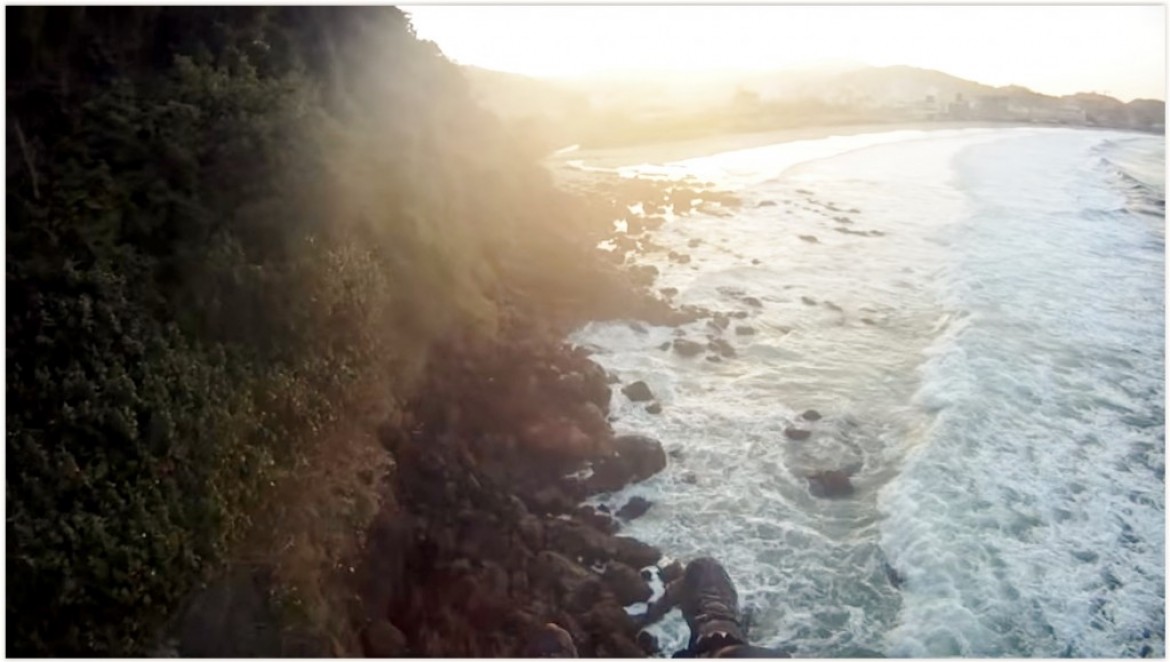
(1113, 50)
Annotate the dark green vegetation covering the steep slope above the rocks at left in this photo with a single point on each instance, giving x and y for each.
(231, 232)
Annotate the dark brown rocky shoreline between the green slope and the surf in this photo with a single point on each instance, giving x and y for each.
(484, 537)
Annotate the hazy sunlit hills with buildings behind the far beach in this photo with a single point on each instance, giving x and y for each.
(636, 107)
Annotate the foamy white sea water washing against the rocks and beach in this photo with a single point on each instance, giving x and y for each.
(979, 316)
